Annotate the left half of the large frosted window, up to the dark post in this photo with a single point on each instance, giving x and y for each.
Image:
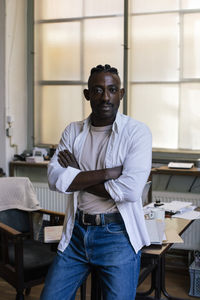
(70, 38)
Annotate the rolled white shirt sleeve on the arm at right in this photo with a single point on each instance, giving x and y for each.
(136, 168)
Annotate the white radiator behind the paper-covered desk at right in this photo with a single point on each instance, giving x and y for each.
(191, 236)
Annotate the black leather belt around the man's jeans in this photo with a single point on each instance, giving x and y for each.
(99, 219)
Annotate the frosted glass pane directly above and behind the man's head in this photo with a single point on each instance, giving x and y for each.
(103, 43)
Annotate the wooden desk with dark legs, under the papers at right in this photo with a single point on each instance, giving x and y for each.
(158, 258)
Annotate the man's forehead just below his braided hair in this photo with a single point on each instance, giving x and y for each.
(103, 79)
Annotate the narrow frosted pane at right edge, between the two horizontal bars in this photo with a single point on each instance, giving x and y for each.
(191, 57)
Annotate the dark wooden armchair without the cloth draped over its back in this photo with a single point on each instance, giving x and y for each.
(24, 261)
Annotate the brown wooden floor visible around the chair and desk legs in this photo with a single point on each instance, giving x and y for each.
(177, 284)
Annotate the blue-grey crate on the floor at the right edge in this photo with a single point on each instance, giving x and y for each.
(194, 270)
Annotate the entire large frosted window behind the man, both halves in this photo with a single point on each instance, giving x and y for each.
(161, 67)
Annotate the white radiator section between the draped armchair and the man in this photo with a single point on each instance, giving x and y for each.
(49, 199)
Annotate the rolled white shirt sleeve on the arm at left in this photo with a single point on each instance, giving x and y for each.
(60, 178)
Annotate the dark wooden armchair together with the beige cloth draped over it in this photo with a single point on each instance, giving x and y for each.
(25, 258)
